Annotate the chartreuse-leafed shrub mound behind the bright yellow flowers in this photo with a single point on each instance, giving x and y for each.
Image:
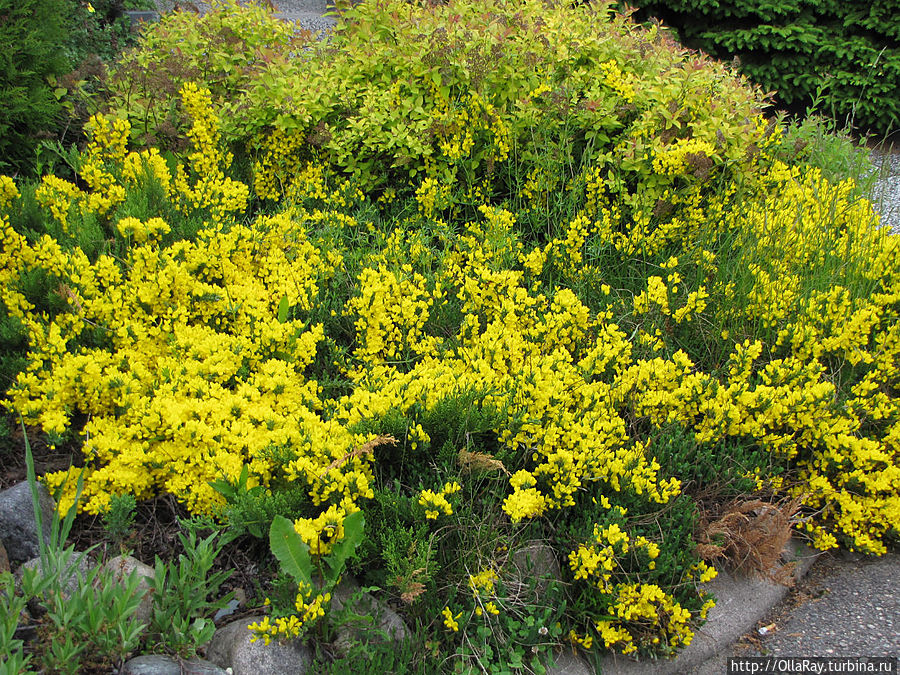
(469, 91)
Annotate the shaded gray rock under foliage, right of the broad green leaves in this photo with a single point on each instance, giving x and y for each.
(379, 622)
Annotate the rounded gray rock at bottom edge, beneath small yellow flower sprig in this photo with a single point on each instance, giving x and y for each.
(231, 648)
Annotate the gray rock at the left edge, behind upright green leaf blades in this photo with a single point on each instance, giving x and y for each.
(18, 529)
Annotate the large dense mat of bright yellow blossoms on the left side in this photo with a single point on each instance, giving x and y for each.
(196, 375)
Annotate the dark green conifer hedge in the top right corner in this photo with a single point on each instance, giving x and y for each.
(846, 54)
